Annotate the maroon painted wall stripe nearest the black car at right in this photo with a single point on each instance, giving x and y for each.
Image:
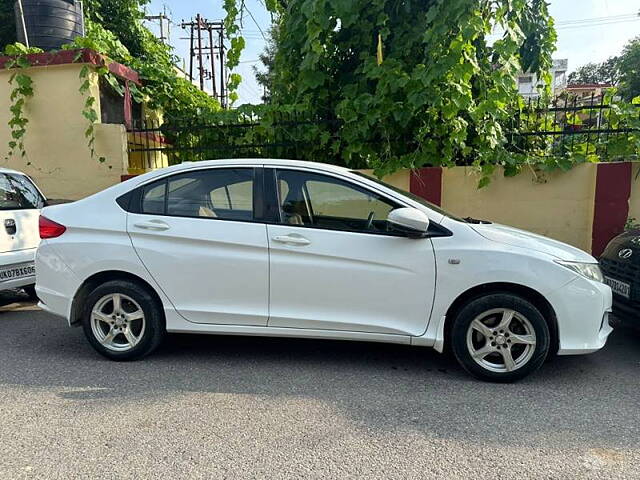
(611, 209)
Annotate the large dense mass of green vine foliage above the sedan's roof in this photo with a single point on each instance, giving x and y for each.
(442, 93)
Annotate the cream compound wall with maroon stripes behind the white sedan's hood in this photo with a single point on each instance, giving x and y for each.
(584, 207)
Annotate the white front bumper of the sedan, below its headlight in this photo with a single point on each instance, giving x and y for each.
(582, 309)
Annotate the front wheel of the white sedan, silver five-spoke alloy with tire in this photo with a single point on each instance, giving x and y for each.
(500, 337)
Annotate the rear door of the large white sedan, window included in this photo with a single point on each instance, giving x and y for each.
(197, 234)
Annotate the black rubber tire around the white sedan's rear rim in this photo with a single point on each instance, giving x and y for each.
(154, 321)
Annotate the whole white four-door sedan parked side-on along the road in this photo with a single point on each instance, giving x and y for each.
(289, 248)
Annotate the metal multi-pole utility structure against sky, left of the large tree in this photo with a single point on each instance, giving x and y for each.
(199, 28)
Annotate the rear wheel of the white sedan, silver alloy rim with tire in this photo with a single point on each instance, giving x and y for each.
(123, 321)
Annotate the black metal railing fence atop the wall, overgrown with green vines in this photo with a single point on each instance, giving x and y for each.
(590, 127)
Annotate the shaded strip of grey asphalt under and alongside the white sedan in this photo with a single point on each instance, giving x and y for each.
(582, 400)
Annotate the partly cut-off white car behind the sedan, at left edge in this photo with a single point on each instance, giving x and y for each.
(20, 204)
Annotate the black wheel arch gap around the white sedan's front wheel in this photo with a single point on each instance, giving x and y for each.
(528, 293)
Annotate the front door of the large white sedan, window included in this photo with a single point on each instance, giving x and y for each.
(335, 265)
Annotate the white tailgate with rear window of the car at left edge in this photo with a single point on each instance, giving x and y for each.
(20, 204)
